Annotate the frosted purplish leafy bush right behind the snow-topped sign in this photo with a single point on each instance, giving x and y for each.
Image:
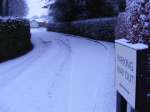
(134, 23)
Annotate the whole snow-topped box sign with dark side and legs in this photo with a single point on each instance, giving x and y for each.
(132, 76)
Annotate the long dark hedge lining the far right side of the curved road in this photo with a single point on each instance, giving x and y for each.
(99, 29)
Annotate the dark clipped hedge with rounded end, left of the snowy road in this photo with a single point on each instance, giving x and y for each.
(14, 37)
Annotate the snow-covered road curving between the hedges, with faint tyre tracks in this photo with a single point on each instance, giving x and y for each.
(62, 74)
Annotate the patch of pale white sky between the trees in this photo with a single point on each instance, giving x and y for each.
(35, 8)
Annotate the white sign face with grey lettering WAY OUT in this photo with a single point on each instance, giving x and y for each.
(126, 60)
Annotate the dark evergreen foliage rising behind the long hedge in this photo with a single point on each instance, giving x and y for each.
(69, 10)
